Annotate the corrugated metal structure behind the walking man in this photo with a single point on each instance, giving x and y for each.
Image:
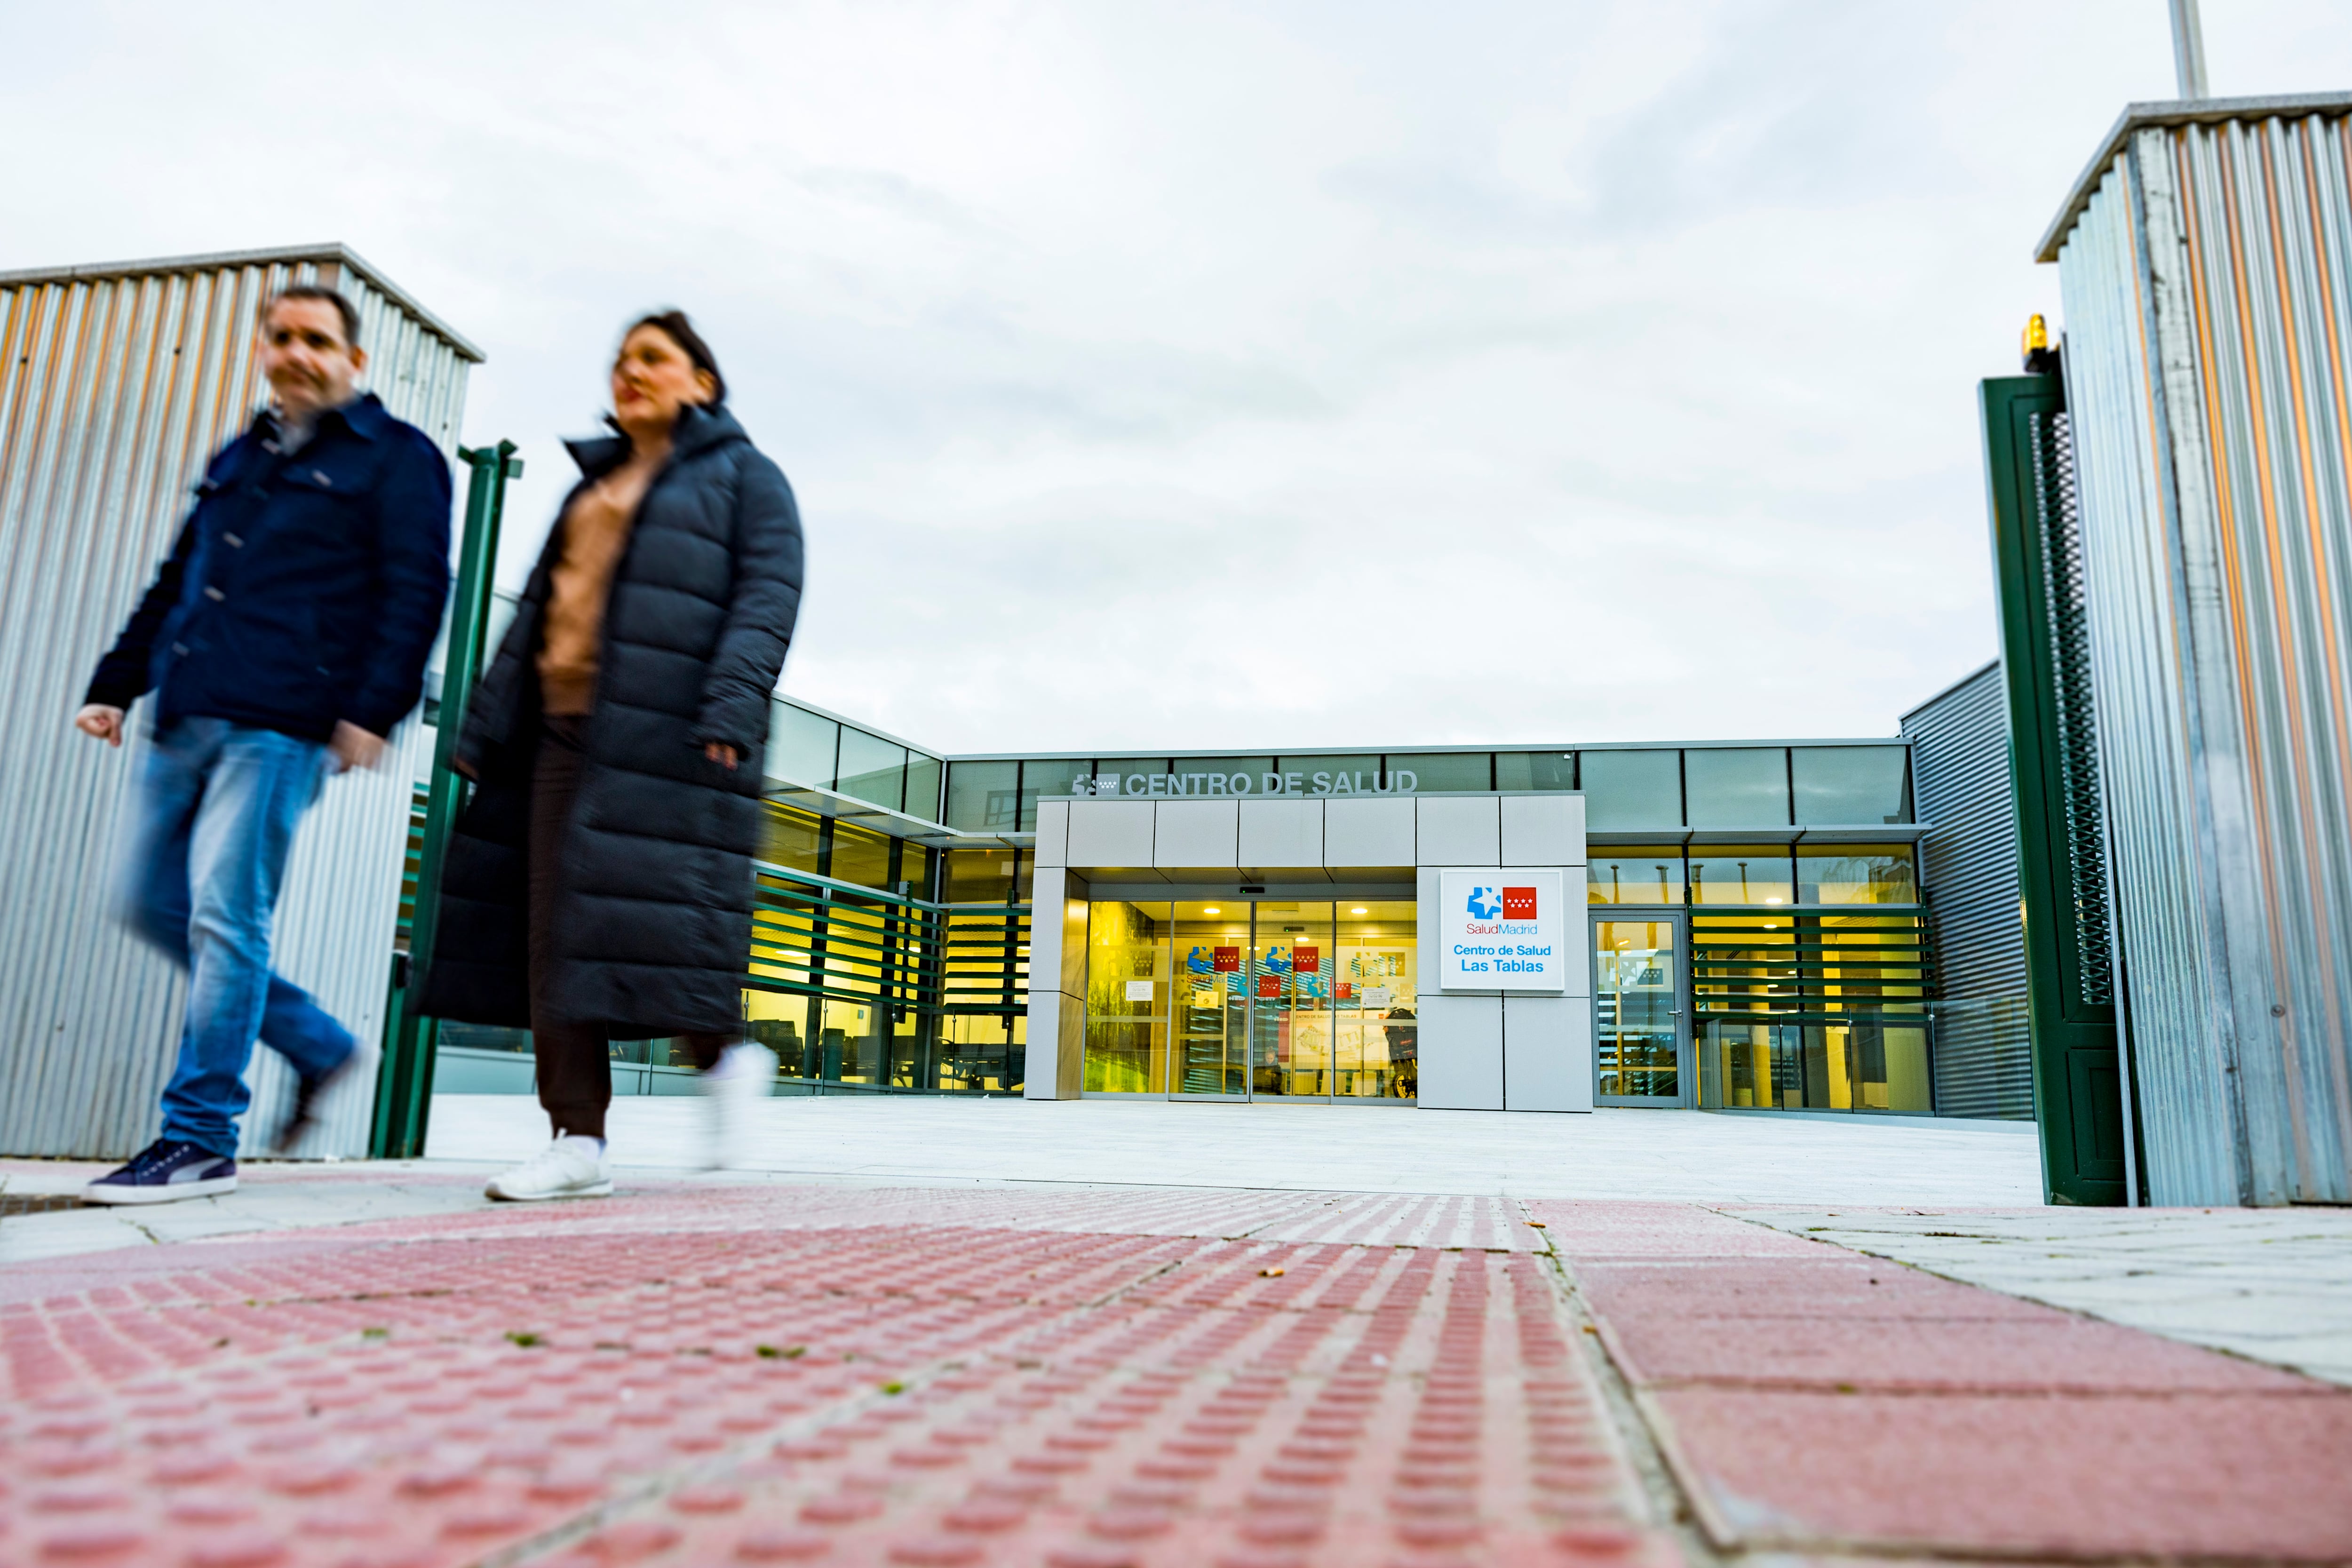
(116, 387)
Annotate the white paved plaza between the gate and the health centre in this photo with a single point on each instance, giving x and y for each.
(1316, 1148)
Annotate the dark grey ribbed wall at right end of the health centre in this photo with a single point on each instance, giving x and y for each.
(1970, 873)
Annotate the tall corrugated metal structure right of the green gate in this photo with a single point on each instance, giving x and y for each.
(2207, 276)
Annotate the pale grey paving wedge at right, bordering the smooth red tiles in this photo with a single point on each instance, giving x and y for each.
(2269, 1285)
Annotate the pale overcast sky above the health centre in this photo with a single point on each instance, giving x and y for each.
(1217, 377)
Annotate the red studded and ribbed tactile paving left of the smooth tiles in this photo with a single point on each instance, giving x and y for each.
(592, 1388)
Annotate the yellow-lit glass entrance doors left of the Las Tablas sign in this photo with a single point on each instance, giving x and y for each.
(1252, 1000)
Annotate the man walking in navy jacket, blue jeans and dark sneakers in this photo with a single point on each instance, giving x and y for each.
(283, 641)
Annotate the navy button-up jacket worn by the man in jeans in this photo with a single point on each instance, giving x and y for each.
(305, 587)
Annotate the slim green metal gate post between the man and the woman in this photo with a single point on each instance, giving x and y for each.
(406, 1083)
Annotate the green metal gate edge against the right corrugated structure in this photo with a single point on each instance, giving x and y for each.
(2069, 981)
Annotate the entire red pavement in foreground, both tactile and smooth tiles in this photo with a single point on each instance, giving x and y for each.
(1177, 1379)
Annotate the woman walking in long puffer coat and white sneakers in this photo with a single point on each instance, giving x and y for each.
(599, 885)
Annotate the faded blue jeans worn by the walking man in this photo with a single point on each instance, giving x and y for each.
(218, 815)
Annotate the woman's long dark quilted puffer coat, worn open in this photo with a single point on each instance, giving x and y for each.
(653, 925)
